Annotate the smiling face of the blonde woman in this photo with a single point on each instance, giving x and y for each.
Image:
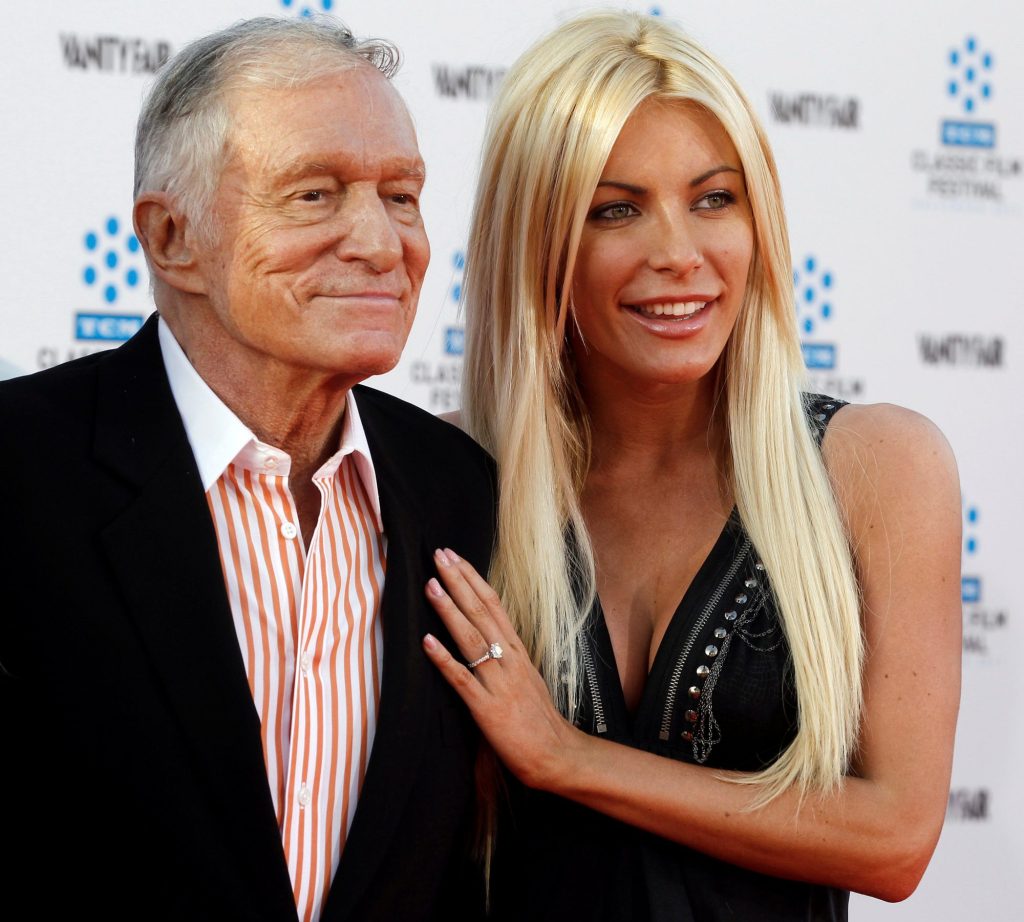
(666, 249)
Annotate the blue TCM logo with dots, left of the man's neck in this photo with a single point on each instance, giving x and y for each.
(112, 270)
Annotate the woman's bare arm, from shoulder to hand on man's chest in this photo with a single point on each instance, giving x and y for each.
(897, 484)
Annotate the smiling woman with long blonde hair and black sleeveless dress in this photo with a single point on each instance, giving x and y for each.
(723, 652)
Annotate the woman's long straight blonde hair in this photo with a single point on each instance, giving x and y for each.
(551, 131)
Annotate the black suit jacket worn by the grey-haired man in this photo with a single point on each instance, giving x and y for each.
(135, 783)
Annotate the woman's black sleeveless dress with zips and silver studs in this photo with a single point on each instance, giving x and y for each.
(720, 694)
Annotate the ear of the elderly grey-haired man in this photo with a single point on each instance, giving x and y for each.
(169, 241)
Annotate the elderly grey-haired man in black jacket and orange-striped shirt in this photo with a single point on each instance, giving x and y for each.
(216, 703)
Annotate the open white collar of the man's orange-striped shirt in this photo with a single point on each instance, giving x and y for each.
(218, 437)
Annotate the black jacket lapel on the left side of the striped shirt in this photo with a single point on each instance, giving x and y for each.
(163, 551)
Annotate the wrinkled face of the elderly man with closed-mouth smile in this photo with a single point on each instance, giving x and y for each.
(319, 249)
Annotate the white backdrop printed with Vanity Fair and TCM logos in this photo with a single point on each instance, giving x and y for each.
(900, 131)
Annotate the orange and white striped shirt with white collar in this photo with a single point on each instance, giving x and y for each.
(308, 619)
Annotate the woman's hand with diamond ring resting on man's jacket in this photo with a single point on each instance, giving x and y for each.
(506, 695)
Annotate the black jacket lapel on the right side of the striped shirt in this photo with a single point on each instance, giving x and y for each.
(407, 685)
